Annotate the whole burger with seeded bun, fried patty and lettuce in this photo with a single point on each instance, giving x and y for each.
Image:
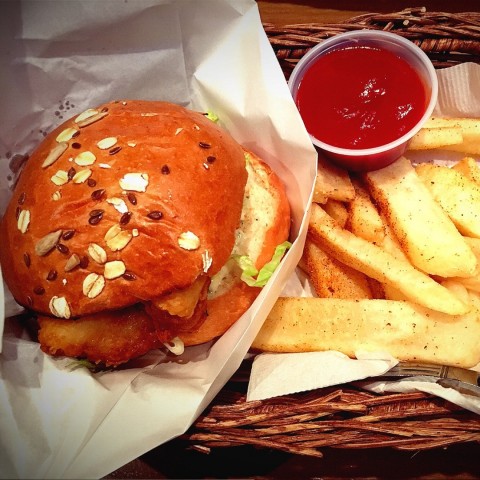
(137, 225)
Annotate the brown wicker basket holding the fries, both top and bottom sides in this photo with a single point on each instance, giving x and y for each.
(345, 416)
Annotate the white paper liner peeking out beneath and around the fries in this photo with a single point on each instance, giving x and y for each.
(279, 374)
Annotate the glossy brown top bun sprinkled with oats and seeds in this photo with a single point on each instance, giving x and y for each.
(124, 203)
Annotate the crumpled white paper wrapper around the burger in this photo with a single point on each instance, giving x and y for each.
(58, 58)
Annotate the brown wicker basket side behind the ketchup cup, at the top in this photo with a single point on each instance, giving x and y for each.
(447, 38)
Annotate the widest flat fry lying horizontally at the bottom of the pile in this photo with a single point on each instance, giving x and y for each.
(407, 331)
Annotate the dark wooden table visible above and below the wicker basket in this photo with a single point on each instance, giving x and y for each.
(175, 460)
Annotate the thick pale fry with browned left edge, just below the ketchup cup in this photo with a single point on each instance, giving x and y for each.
(427, 235)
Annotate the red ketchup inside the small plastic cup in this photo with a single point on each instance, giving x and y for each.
(360, 97)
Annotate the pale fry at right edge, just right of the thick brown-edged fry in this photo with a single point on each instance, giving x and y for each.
(456, 194)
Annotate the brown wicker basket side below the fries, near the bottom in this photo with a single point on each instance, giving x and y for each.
(343, 417)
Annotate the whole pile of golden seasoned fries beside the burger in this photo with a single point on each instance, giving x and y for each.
(396, 263)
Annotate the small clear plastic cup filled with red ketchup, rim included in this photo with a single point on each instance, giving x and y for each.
(363, 95)
